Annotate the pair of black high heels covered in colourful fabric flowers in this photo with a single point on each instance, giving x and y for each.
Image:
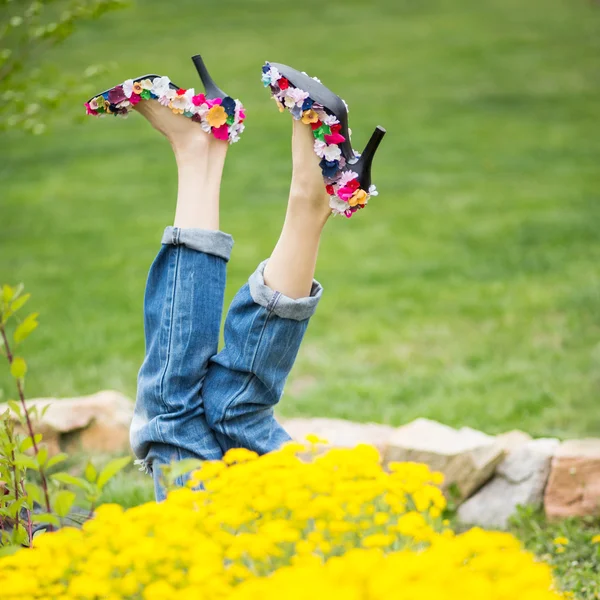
(346, 173)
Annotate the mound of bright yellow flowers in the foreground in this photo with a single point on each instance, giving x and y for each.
(334, 527)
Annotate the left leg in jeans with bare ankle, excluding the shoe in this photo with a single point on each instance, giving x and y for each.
(183, 305)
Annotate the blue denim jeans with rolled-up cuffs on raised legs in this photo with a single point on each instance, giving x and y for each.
(192, 400)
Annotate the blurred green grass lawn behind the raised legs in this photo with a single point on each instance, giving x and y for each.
(468, 292)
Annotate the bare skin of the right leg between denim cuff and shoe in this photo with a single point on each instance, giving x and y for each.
(291, 268)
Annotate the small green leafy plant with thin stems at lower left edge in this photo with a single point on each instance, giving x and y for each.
(32, 495)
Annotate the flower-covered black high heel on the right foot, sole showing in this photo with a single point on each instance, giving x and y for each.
(347, 174)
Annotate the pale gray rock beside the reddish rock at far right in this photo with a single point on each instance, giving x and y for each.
(520, 480)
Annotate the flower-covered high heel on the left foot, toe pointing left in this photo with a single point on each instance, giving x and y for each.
(214, 110)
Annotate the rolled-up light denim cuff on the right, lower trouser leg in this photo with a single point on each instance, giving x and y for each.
(277, 303)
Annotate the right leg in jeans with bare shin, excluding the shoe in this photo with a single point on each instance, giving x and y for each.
(268, 317)
